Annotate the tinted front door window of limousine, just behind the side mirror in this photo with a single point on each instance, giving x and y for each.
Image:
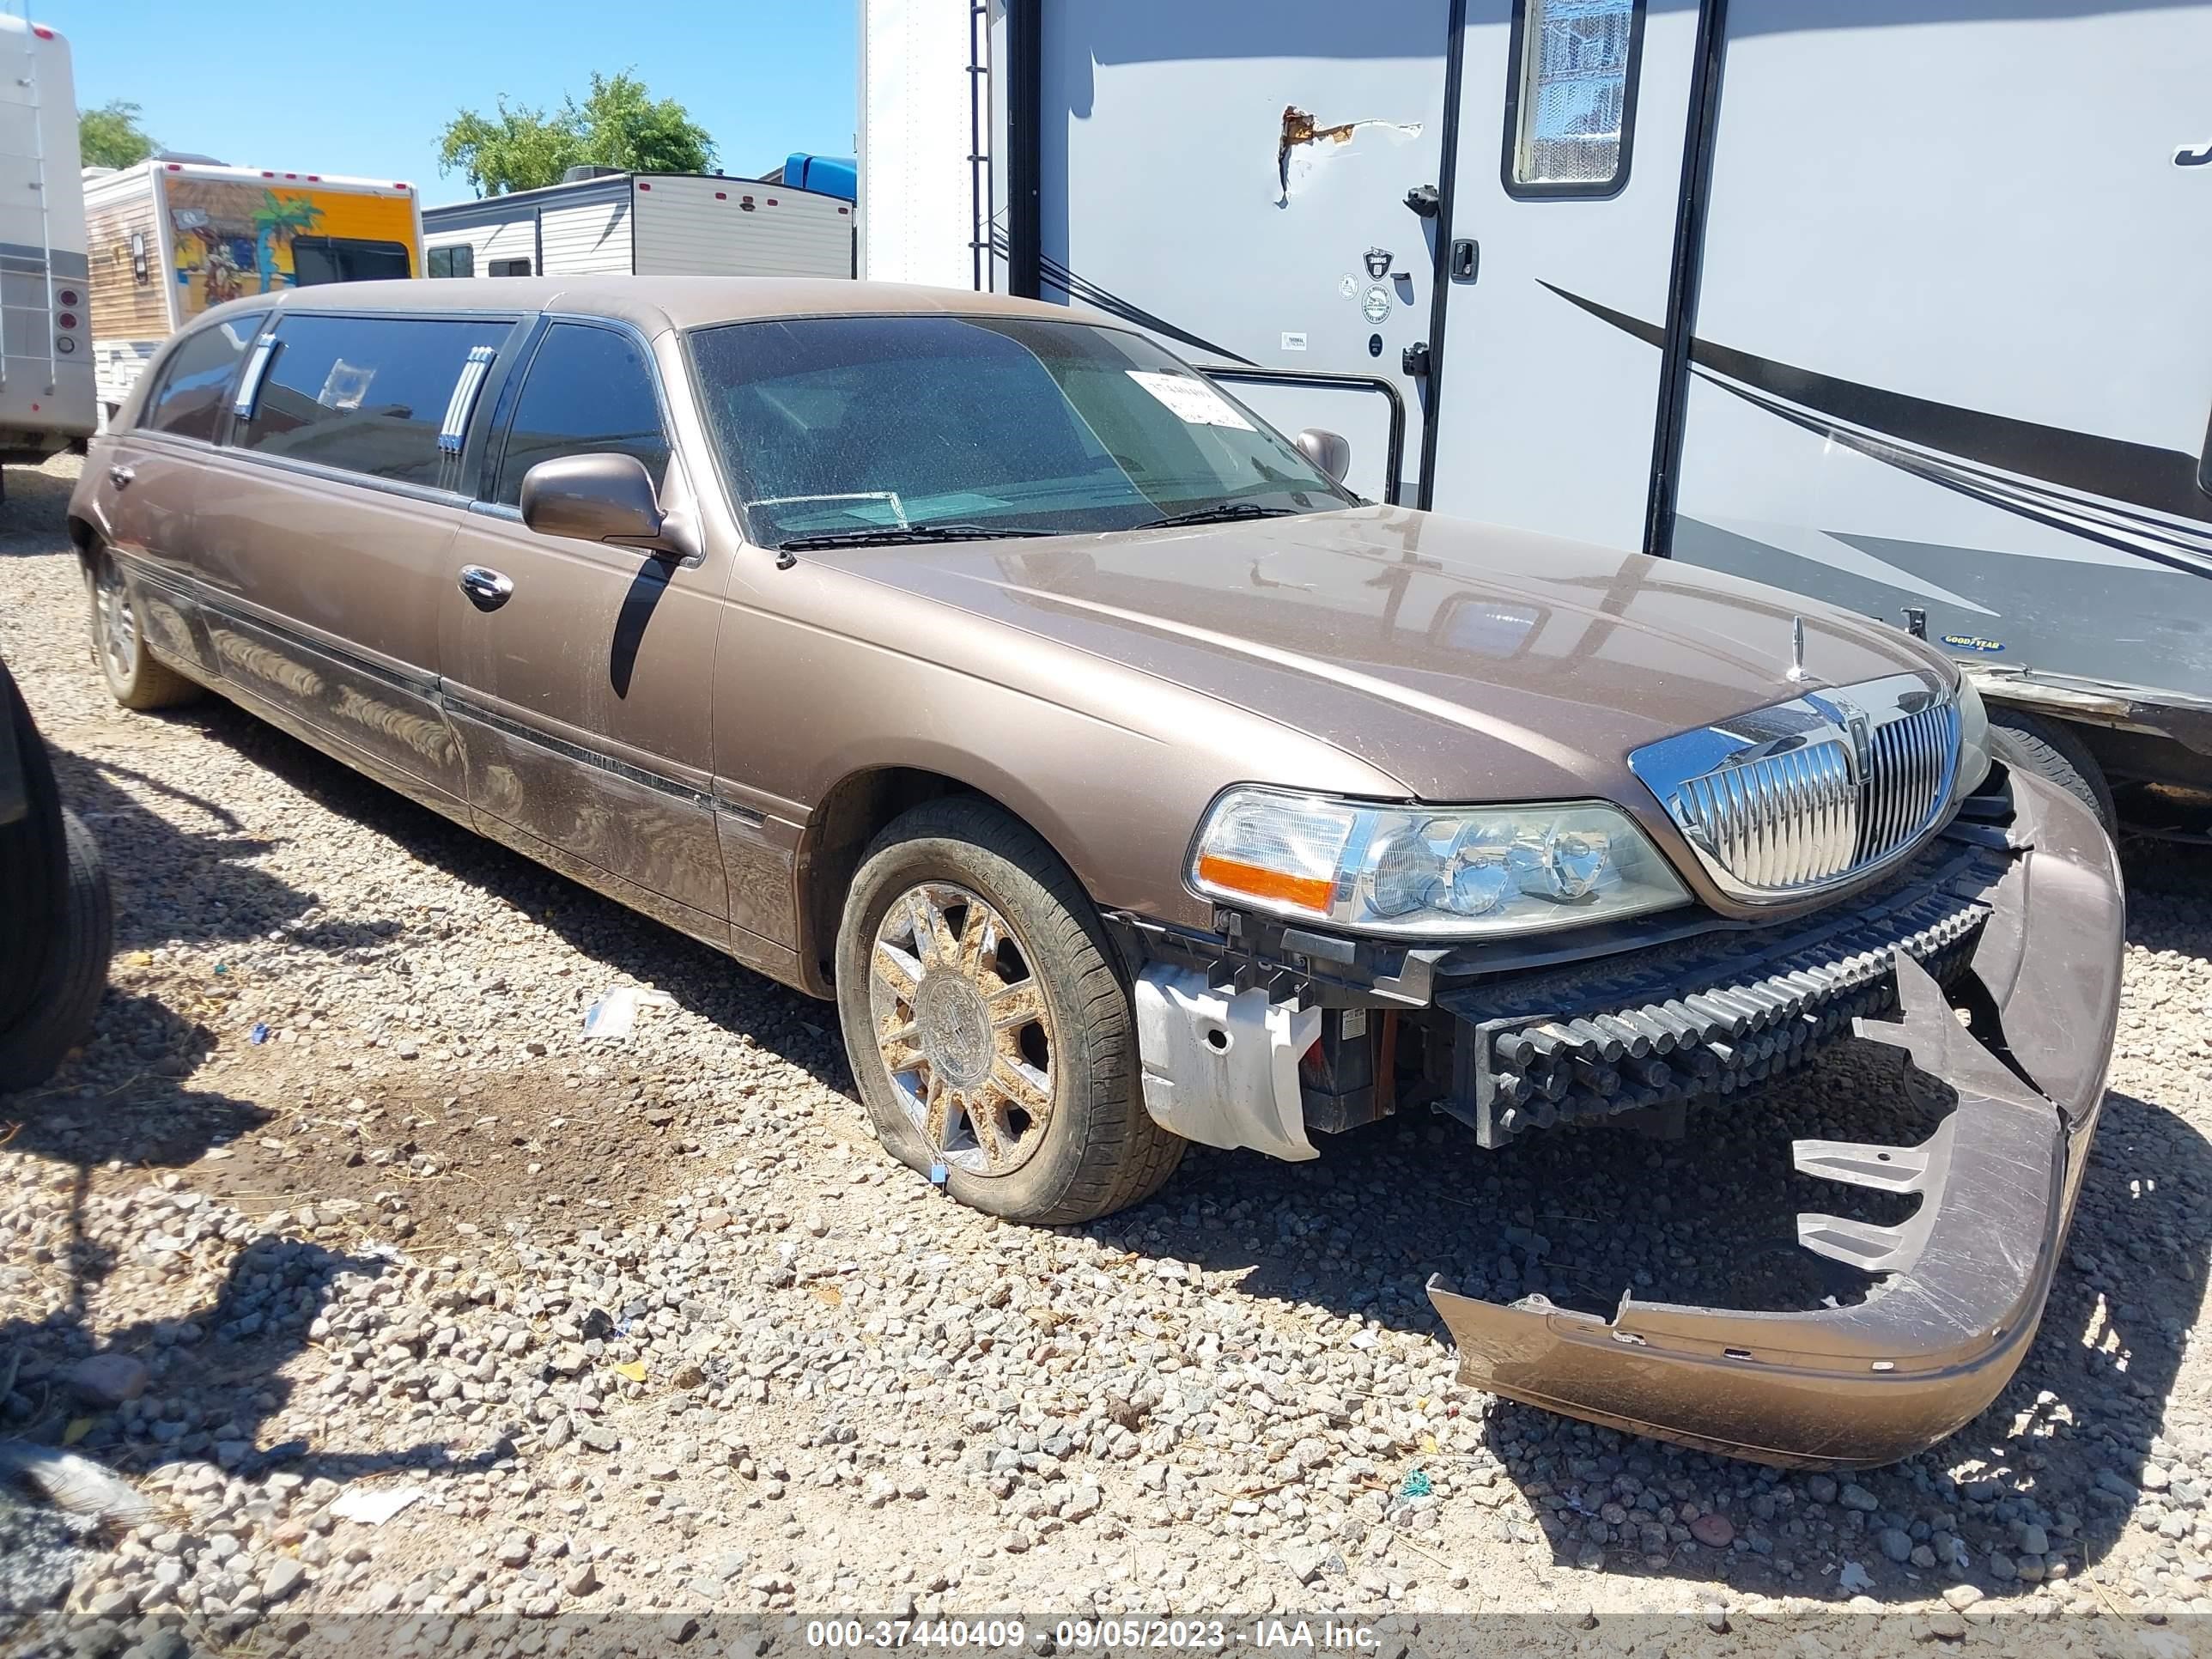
(589, 395)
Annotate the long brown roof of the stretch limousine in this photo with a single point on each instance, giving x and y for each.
(647, 302)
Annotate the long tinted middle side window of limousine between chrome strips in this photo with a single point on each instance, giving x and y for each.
(364, 393)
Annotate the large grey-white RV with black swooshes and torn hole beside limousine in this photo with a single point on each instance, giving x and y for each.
(1890, 302)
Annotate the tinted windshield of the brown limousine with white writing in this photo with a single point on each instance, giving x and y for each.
(904, 428)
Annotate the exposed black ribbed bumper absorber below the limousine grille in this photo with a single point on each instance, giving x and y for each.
(1707, 1019)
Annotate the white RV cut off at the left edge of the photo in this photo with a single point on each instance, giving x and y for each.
(45, 320)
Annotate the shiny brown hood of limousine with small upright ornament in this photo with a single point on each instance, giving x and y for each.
(1468, 662)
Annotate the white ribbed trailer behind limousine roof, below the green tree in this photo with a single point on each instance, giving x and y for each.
(647, 225)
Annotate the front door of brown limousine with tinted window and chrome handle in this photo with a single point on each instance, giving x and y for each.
(583, 696)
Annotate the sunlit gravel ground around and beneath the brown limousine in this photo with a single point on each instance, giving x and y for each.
(660, 1331)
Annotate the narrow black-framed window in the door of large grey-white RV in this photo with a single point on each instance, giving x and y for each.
(1572, 96)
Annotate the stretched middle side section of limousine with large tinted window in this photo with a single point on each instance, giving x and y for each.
(324, 528)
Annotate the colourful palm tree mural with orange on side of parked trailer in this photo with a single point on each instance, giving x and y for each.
(233, 238)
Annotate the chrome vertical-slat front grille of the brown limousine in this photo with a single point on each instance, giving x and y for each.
(1811, 793)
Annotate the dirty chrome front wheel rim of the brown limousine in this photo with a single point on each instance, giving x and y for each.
(963, 1030)
